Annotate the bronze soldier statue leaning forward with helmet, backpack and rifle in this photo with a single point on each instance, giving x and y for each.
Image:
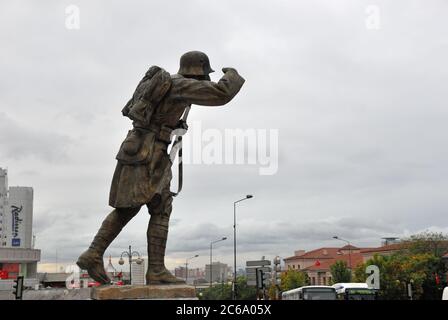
(143, 172)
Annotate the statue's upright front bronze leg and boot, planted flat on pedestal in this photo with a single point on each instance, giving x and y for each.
(157, 235)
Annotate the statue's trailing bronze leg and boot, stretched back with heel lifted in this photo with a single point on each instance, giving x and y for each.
(92, 259)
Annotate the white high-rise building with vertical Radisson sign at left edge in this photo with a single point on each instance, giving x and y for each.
(17, 255)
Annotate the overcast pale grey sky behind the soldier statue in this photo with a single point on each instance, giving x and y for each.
(360, 106)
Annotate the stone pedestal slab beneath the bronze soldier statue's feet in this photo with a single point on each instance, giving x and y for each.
(156, 292)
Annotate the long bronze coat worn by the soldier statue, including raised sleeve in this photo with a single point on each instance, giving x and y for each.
(134, 185)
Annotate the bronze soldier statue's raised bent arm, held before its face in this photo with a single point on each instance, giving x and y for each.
(208, 93)
